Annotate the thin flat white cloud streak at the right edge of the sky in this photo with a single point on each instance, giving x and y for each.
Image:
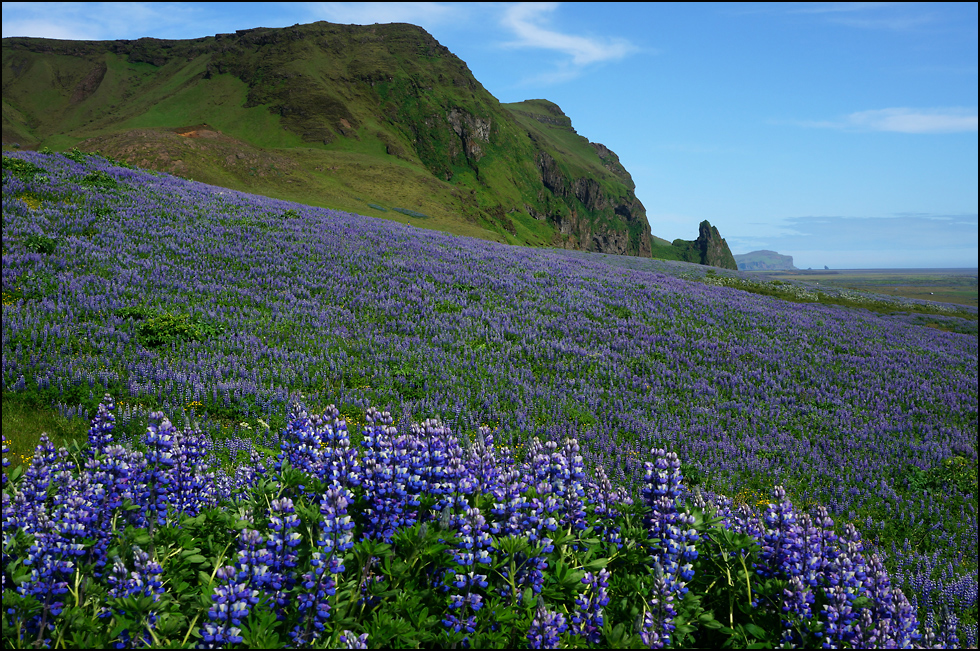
(905, 120)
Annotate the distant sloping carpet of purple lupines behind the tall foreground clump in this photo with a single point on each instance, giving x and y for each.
(187, 298)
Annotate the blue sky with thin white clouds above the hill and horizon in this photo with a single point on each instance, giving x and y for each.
(843, 134)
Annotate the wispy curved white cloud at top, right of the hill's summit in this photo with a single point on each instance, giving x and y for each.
(527, 22)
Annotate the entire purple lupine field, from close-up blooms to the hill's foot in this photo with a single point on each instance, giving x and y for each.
(397, 437)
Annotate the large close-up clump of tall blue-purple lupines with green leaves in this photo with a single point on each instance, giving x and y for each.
(410, 540)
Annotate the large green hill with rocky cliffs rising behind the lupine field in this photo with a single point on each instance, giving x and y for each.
(380, 120)
